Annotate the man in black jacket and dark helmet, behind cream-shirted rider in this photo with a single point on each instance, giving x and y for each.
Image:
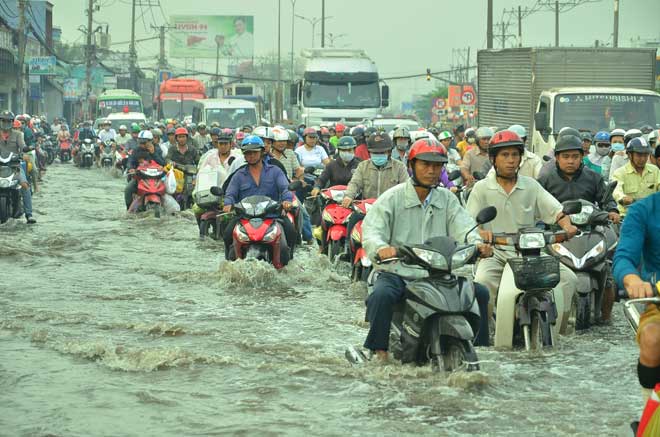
(573, 180)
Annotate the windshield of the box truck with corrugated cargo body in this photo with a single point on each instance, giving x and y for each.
(597, 112)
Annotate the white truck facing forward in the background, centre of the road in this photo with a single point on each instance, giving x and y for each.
(338, 85)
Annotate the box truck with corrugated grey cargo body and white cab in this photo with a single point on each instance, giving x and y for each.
(545, 89)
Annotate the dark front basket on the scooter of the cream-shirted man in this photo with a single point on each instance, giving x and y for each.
(535, 273)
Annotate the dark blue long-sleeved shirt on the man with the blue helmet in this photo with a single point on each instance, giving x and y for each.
(272, 183)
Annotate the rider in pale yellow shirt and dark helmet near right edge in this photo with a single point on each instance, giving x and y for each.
(637, 179)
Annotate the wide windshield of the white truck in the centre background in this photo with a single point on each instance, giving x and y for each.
(341, 94)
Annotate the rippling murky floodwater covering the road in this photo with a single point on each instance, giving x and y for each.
(116, 325)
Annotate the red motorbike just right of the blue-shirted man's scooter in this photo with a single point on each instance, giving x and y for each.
(334, 221)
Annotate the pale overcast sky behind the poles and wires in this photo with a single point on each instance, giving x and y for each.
(402, 37)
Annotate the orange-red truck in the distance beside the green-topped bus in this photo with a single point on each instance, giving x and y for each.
(176, 97)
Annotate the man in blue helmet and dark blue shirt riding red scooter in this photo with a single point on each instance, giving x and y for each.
(258, 178)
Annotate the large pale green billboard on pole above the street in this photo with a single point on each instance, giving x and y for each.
(195, 36)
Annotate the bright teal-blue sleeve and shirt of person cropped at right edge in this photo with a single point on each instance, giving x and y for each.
(637, 252)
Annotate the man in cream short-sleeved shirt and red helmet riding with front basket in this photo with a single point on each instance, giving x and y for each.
(521, 202)
